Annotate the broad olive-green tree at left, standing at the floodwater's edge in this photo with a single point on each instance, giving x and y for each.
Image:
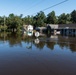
(14, 22)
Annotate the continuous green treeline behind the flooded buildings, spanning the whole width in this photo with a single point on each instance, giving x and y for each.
(15, 22)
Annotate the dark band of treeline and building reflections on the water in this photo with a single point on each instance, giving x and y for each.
(15, 39)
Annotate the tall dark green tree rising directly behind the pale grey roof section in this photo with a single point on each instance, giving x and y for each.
(51, 18)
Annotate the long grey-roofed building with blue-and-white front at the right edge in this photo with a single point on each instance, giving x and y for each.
(68, 29)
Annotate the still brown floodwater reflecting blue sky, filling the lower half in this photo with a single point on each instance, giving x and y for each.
(23, 55)
